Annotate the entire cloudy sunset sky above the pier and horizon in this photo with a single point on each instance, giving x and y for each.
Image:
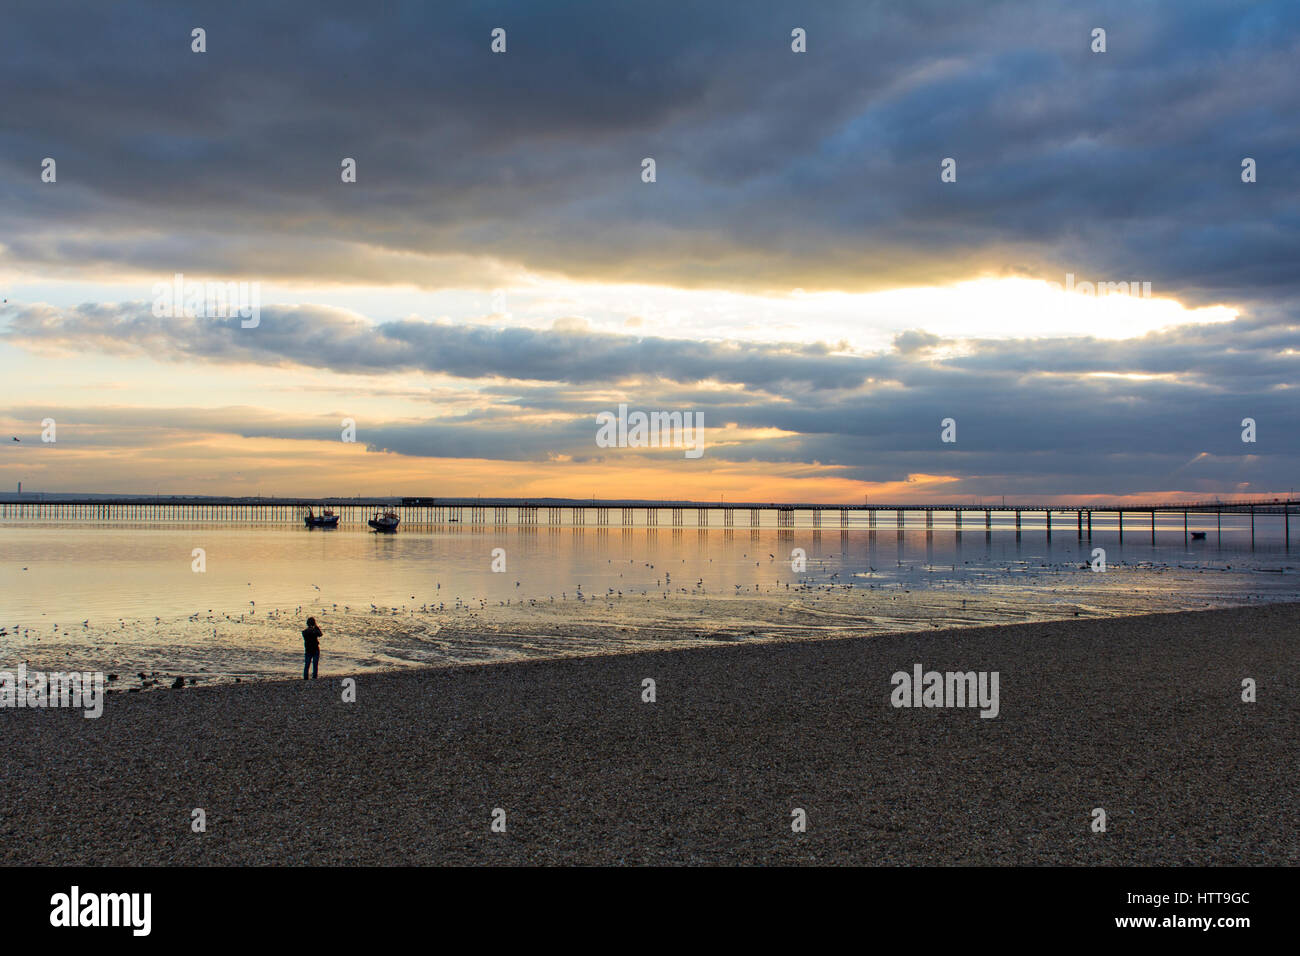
(799, 275)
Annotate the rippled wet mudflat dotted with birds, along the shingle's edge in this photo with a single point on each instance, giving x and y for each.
(207, 648)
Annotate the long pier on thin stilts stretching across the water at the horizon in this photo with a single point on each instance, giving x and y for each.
(639, 513)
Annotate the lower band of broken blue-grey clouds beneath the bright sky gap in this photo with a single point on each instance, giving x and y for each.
(1060, 417)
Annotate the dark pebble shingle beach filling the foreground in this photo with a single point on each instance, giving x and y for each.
(1139, 716)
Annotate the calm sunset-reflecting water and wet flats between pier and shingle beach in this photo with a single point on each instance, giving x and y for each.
(128, 598)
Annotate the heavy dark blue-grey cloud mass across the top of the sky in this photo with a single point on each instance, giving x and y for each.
(775, 170)
